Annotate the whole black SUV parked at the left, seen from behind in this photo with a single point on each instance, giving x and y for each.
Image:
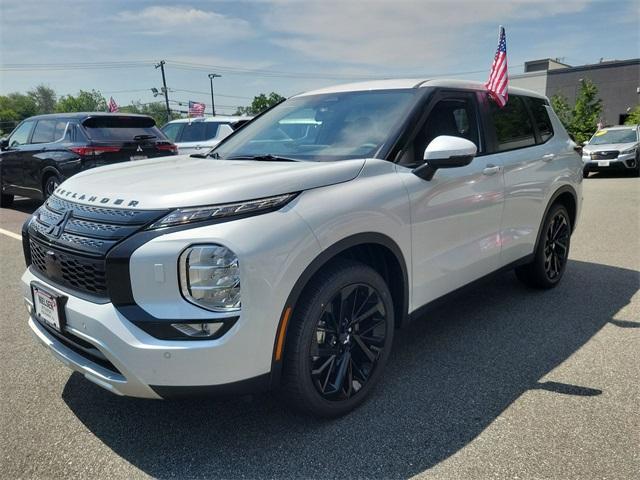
(43, 151)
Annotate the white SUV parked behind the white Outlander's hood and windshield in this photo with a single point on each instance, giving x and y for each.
(201, 134)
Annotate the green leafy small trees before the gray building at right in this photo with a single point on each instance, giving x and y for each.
(581, 121)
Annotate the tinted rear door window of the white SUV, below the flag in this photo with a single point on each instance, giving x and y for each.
(513, 125)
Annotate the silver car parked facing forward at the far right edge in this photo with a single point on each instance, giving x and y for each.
(613, 149)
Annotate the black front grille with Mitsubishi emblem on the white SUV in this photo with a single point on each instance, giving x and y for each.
(68, 242)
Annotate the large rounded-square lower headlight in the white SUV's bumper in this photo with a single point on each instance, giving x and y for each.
(210, 277)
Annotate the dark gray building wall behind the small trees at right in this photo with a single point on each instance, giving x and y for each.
(617, 82)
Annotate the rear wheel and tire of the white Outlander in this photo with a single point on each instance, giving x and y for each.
(550, 258)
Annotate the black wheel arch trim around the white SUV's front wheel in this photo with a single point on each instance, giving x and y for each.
(320, 261)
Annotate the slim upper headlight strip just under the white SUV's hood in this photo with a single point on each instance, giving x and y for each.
(197, 214)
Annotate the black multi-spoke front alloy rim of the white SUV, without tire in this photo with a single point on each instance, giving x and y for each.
(348, 341)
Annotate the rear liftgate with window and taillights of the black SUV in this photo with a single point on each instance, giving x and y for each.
(116, 138)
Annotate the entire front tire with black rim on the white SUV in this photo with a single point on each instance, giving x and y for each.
(316, 349)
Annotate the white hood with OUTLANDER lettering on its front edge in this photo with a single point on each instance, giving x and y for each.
(183, 181)
